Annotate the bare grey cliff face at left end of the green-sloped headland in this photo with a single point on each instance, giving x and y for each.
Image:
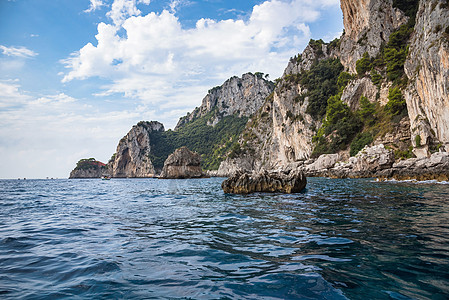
(132, 155)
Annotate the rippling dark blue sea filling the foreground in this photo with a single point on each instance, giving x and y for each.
(186, 239)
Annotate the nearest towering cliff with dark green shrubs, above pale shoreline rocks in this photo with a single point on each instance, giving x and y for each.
(385, 84)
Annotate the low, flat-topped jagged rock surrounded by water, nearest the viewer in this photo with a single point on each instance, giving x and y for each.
(273, 182)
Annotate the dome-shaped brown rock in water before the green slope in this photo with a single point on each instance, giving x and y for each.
(182, 164)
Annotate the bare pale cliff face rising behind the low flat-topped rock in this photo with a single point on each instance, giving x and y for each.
(281, 132)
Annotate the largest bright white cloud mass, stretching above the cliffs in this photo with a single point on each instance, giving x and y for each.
(154, 59)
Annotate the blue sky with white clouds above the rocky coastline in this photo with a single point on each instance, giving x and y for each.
(76, 75)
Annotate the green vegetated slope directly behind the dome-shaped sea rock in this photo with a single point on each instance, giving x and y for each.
(211, 142)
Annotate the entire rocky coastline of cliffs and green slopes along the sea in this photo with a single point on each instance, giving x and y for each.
(373, 103)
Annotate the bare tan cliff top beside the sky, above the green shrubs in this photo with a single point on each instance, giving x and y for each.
(368, 24)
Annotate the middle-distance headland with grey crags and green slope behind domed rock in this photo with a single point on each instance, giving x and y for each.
(211, 130)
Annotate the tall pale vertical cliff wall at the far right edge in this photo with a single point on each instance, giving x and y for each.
(427, 67)
